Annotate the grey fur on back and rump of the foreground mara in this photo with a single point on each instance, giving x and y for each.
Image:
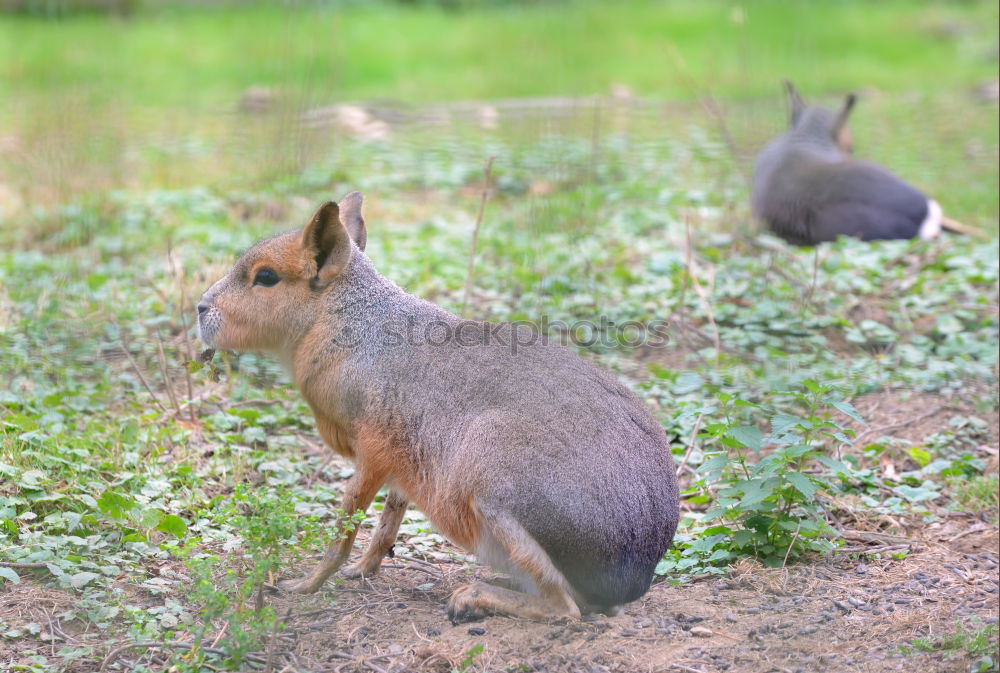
(539, 432)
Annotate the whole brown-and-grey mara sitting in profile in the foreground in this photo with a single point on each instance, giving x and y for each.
(542, 465)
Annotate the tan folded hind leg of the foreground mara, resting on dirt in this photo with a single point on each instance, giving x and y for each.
(524, 556)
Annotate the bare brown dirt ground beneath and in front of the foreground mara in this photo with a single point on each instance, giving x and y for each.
(839, 614)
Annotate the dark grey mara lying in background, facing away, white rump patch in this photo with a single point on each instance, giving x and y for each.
(808, 189)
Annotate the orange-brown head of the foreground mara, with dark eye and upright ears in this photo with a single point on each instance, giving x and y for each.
(268, 300)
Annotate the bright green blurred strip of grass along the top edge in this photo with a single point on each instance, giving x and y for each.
(194, 57)
